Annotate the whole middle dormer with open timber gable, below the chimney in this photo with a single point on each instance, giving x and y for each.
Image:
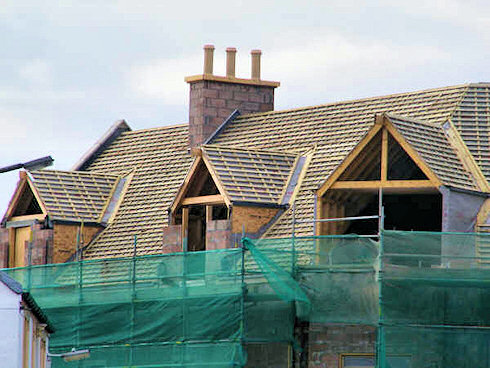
(229, 192)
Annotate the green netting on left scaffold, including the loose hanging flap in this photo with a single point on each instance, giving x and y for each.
(177, 310)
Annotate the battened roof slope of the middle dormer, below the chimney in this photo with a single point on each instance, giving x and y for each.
(251, 175)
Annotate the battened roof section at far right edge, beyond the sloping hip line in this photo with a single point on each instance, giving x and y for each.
(472, 119)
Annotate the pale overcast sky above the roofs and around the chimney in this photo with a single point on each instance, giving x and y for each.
(69, 69)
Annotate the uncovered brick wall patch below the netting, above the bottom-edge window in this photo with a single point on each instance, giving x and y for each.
(327, 342)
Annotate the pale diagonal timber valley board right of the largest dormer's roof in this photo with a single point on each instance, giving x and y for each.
(465, 155)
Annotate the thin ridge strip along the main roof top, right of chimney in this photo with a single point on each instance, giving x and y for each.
(328, 104)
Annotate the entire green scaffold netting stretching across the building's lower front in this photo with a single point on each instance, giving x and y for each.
(428, 294)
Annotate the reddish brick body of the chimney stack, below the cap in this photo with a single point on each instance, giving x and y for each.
(211, 102)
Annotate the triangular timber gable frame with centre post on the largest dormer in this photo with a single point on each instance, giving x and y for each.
(384, 126)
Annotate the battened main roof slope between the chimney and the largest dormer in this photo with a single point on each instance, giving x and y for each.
(335, 129)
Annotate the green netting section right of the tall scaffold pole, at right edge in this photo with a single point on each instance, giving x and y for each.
(435, 298)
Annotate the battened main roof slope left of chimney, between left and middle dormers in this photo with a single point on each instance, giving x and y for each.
(160, 160)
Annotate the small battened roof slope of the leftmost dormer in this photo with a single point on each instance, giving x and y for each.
(73, 195)
